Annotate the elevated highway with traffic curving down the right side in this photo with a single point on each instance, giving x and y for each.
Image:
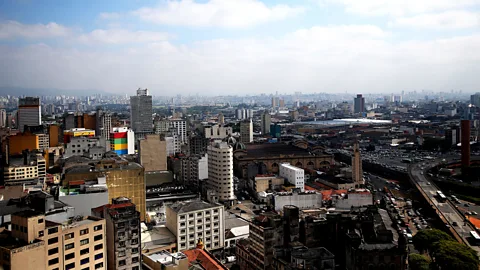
(445, 210)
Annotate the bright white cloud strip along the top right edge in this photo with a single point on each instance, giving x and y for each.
(401, 7)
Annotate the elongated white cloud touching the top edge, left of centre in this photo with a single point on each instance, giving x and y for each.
(221, 13)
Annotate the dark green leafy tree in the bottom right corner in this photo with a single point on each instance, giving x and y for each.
(450, 254)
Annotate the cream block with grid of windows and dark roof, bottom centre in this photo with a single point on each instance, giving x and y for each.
(193, 221)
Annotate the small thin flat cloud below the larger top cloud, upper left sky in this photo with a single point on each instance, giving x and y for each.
(122, 36)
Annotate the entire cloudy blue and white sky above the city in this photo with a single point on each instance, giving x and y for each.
(218, 47)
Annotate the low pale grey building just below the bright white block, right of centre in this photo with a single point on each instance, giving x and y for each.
(302, 200)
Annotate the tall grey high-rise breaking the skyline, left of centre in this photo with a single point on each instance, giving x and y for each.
(141, 113)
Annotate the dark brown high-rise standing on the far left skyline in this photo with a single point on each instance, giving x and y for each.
(29, 112)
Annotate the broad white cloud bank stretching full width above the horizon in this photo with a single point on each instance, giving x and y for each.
(330, 59)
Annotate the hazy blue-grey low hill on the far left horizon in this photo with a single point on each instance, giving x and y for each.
(20, 91)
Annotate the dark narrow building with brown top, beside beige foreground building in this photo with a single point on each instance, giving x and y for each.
(123, 234)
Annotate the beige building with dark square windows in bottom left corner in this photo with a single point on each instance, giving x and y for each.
(38, 243)
